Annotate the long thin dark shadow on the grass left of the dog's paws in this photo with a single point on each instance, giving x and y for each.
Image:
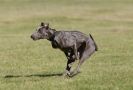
(34, 75)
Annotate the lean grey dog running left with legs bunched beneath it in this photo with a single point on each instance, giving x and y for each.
(76, 45)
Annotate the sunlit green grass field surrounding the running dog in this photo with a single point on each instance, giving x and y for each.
(29, 65)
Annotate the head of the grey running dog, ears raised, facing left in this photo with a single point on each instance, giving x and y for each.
(42, 32)
